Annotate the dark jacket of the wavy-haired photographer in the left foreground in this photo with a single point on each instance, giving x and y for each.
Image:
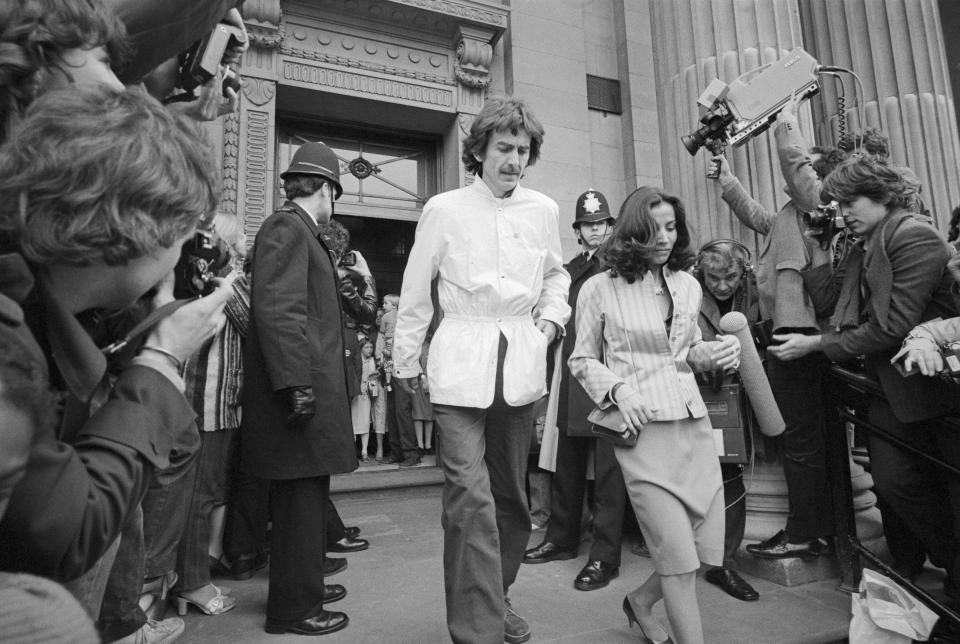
(69, 506)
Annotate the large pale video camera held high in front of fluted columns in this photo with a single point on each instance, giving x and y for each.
(737, 112)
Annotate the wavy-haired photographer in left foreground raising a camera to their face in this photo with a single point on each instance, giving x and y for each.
(94, 227)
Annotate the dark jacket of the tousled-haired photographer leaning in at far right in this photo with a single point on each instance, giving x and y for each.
(906, 283)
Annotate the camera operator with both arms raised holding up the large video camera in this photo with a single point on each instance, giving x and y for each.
(786, 306)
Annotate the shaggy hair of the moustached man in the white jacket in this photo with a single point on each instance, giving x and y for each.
(500, 113)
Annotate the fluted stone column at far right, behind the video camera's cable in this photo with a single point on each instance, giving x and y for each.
(896, 47)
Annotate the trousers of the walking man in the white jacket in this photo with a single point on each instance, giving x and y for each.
(486, 520)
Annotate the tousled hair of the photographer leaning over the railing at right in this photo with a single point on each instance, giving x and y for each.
(868, 176)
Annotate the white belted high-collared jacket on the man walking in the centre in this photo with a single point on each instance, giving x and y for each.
(500, 270)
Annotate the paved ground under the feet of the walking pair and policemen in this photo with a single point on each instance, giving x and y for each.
(395, 592)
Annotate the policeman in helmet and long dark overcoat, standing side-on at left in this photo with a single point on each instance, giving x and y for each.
(296, 417)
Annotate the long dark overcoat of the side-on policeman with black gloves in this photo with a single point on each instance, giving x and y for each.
(295, 340)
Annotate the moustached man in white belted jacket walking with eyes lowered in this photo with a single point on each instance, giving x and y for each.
(495, 248)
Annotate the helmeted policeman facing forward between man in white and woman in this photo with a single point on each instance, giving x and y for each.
(592, 225)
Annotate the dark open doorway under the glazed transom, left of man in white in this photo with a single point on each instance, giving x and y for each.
(385, 243)
